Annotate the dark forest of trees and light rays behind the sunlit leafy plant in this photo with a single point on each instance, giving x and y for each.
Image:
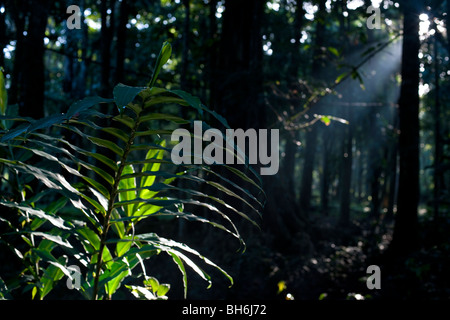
(362, 113)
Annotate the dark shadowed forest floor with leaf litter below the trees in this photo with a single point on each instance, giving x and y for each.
(328, 262)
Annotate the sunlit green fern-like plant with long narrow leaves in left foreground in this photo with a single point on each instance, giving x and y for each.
(84, 215)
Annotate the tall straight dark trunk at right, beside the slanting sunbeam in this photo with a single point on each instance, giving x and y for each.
(405, 237)
